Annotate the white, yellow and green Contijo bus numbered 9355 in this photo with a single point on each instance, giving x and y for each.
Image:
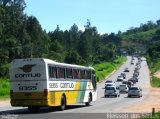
(40, 82)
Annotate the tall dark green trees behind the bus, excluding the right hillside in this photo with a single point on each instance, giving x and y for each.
(21, 36)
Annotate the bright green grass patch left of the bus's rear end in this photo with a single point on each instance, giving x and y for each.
(4, 88)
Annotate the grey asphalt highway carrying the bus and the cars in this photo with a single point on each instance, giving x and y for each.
(99, 108)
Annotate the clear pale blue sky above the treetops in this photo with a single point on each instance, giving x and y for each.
(107, 15)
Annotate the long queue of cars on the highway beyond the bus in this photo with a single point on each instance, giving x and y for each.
(127, 86)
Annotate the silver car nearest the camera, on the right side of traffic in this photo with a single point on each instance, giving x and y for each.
(135, 91)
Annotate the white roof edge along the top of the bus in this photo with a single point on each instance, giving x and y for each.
(49, 61)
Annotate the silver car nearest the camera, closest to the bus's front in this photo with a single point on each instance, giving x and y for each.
(111, 91)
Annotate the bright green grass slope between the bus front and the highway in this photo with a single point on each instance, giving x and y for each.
(105, 68)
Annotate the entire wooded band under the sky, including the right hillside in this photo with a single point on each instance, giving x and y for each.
(21, 36)
